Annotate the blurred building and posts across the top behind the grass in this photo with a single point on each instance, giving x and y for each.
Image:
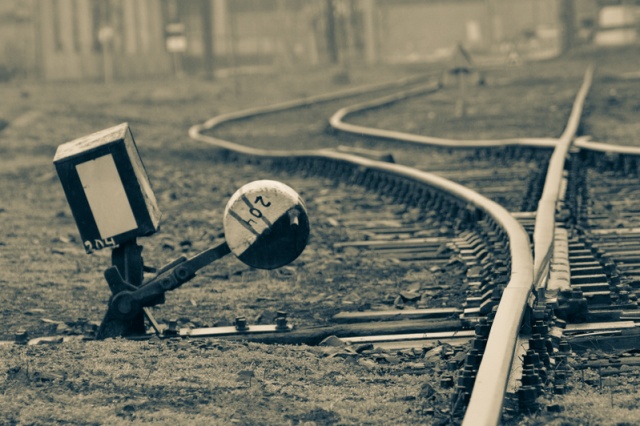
(123, 39)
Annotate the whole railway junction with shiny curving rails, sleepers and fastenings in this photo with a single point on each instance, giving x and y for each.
(488, 231)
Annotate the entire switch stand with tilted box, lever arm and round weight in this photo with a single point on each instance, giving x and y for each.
(265, 222)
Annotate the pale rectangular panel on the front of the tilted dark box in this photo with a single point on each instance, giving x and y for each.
(106, 195)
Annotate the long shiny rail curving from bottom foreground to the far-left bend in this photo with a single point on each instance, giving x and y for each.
(508, 319)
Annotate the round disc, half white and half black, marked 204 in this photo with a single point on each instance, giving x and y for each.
(266, 224)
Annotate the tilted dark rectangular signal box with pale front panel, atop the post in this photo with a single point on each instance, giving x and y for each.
(107, 188)
